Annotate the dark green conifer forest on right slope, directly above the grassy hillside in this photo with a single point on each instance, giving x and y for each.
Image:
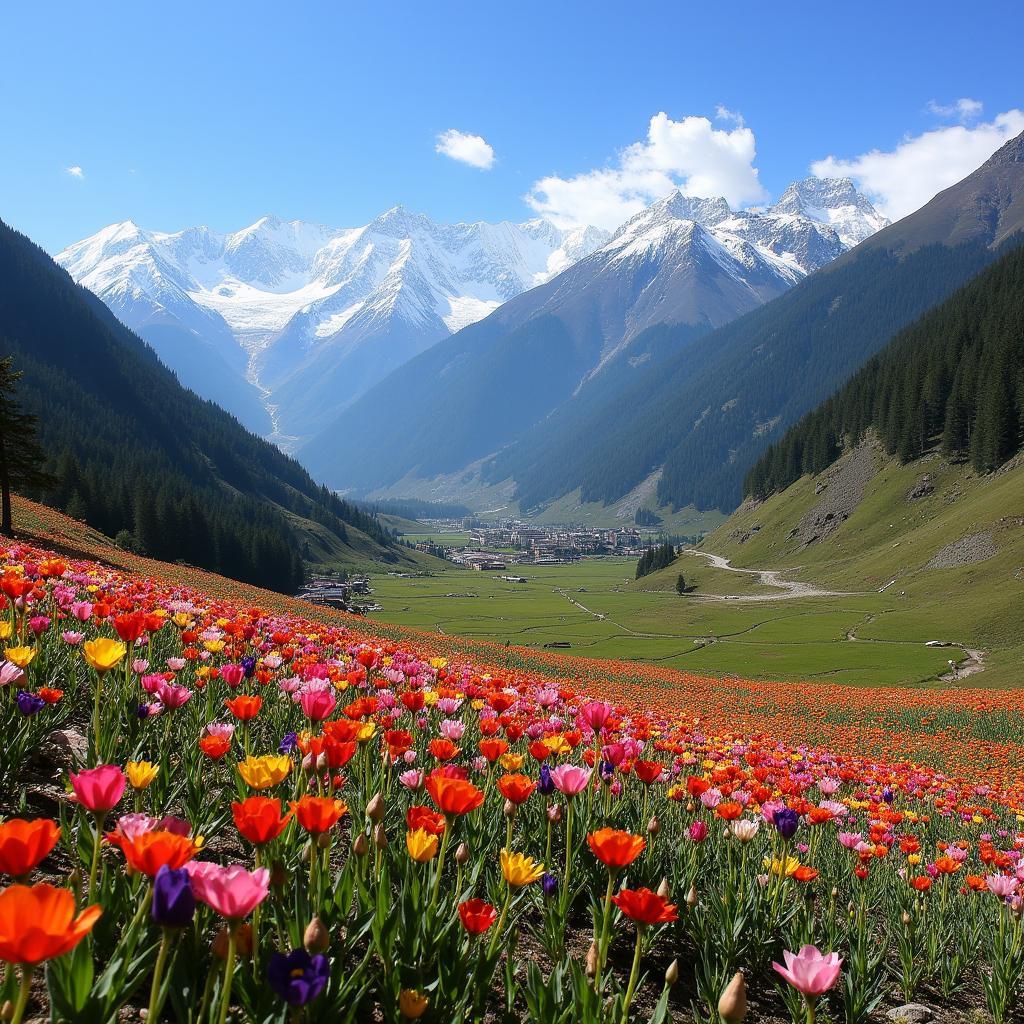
(954, 380)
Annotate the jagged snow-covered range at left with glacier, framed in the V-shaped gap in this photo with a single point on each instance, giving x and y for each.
(285, 323)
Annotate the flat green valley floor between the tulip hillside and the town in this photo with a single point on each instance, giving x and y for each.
(598, 609)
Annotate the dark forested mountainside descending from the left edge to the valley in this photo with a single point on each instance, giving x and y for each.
(137, 455)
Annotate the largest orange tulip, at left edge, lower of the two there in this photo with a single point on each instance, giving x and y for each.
(38, 923)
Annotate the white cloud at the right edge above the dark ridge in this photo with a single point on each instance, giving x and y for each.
(906, 179)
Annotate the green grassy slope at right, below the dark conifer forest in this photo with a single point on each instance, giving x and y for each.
(888, 538)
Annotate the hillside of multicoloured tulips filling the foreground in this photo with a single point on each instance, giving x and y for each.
(218, 810)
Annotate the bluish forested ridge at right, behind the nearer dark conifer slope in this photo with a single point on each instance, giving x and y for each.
(706, 415)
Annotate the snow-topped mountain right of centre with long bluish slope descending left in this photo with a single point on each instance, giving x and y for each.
(682, 266)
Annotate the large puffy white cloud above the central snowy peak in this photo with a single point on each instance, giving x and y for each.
(690, 154)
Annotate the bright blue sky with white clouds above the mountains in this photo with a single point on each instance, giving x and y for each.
(218, 113)
